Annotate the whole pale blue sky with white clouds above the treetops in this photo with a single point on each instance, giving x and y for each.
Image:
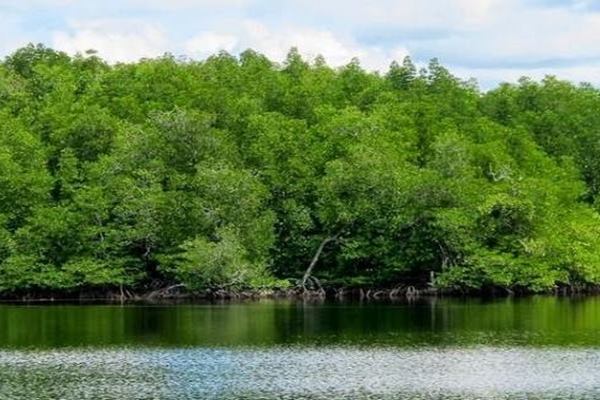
(490, 40)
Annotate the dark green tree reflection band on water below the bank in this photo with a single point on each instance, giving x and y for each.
(534, 321)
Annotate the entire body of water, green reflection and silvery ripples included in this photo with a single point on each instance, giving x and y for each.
(535, 348)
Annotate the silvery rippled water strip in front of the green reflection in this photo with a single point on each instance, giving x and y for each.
(297, 372)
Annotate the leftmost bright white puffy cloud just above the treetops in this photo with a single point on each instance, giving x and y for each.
(115, 40)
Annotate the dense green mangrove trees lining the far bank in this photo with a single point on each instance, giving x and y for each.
(234, 172)
